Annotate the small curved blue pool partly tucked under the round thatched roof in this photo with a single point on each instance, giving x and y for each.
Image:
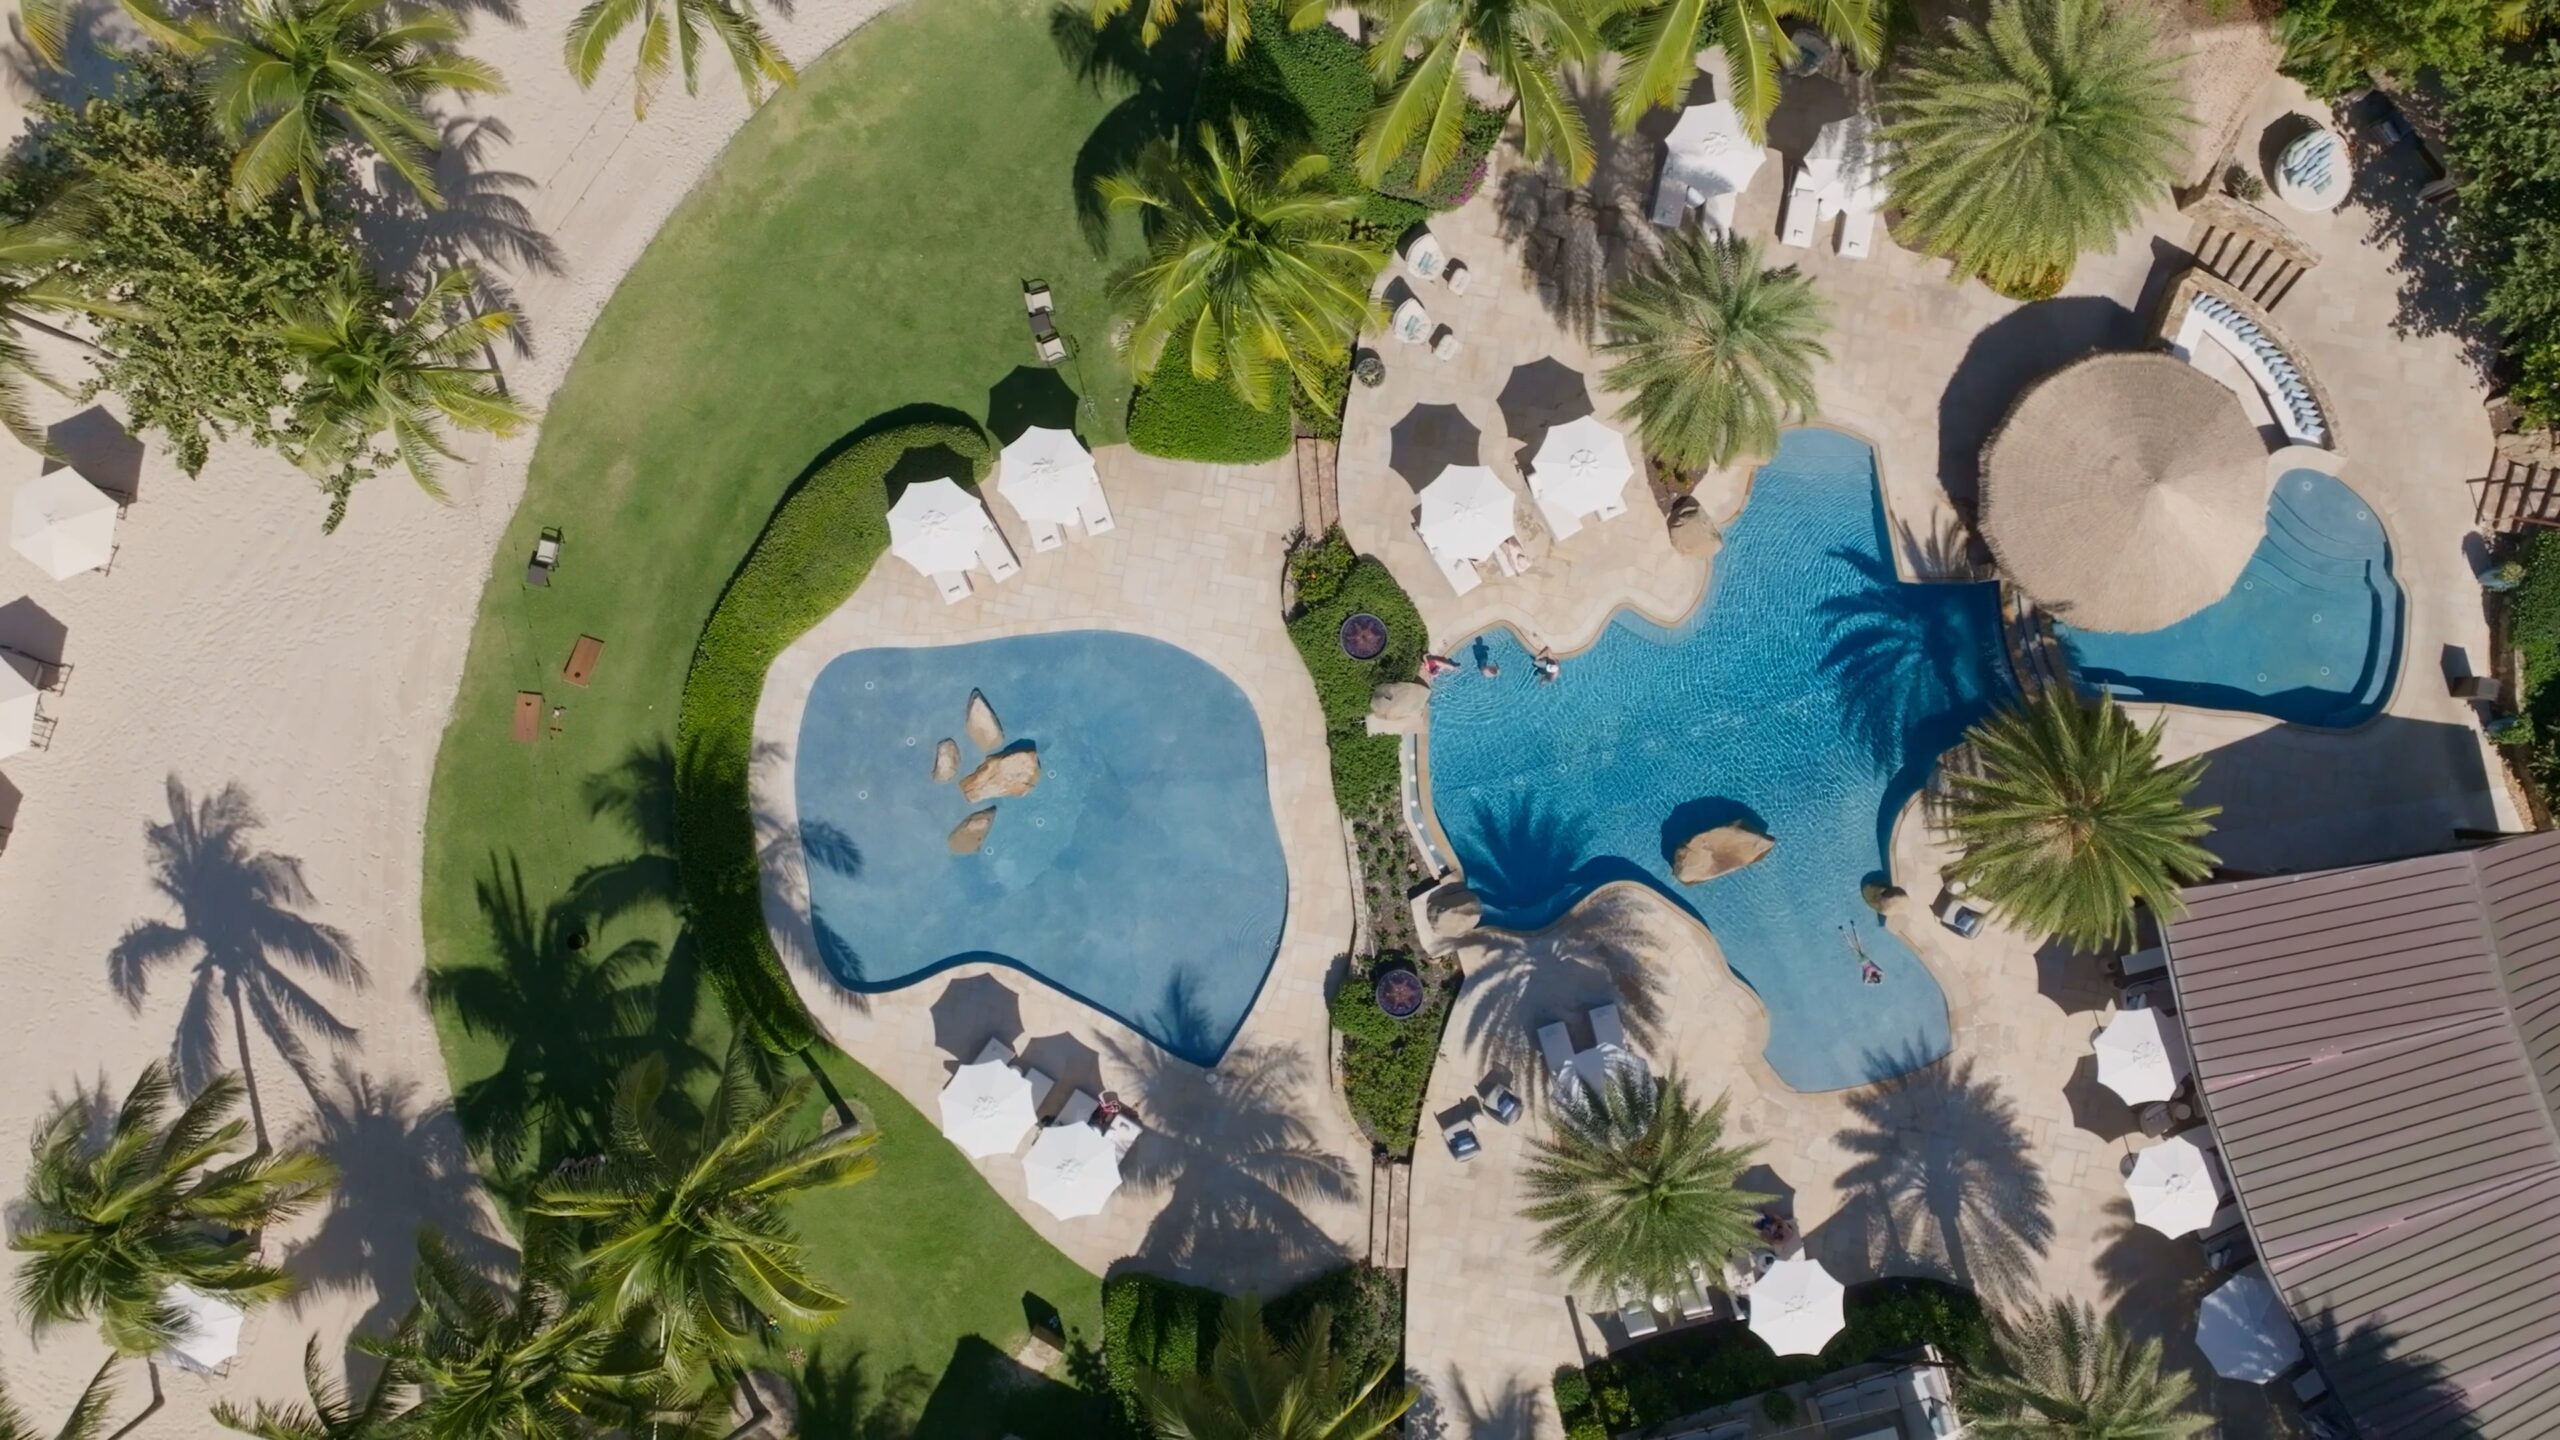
(2308, 634)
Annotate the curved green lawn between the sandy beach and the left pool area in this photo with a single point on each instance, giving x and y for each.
(859, 250)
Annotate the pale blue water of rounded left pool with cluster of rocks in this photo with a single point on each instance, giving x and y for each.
(1143, 875)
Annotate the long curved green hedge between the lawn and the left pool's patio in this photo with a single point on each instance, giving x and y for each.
(815, 552)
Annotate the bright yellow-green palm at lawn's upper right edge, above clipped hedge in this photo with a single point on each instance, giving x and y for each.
(1245, 263)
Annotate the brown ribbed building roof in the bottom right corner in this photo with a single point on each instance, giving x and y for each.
(2380, 1054)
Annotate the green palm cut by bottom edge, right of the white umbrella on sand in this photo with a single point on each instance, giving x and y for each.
(493, 1364)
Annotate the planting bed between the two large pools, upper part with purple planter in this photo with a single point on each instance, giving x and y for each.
(1366, 767)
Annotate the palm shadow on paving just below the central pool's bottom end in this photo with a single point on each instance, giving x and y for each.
(1944, 1180)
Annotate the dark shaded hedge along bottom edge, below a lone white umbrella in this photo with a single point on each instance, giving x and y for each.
(1719, 1364)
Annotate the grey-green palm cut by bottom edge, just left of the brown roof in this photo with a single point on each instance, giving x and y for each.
(2062, 1375)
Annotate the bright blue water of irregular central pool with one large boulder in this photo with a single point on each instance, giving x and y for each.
(1809, 693)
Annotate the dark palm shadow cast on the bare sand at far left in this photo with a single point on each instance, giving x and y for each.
(239, 916)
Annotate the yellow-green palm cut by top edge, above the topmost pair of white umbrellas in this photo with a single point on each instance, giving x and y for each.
(1660, 60)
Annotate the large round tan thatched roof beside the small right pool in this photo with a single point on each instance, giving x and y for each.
(2126, 491)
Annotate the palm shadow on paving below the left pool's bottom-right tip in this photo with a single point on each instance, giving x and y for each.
(1235, 1162)
